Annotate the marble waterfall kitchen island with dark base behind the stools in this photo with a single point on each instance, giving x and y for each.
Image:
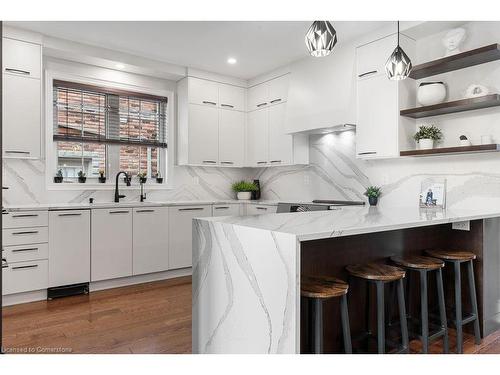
(246, 270)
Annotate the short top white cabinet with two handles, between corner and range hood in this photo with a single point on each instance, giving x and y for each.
(268, 93)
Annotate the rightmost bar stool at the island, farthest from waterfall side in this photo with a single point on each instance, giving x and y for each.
(457, 258)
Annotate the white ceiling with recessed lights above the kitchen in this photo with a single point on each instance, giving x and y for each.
(258, 46)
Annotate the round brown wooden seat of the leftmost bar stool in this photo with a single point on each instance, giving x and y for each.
(322, 287)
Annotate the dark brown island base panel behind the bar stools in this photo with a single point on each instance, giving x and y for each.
(330, 256)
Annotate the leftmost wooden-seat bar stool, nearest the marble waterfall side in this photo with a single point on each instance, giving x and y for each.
(318, 289)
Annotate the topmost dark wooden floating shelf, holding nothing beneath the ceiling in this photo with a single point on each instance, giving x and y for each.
(459, 61)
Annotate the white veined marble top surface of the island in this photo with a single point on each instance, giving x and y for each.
(347, 221)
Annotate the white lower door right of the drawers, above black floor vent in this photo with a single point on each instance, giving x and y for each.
(69, 247)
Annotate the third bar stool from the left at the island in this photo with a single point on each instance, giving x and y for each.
(423, 265)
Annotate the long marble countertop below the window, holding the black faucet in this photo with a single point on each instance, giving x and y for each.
(125, 204)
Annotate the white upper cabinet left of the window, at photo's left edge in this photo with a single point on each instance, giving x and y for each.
(21, 99)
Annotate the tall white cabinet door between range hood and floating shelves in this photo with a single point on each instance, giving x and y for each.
(377, 112)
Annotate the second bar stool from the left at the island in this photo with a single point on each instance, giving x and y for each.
(381, 274)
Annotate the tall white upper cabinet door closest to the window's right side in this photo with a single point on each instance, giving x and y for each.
(203, 135)
